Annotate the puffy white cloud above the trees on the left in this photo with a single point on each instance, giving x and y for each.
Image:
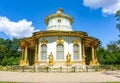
(20, 29)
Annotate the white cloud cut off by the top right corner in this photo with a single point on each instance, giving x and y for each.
(108, 6)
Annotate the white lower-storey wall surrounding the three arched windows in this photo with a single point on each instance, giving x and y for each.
(51, 46)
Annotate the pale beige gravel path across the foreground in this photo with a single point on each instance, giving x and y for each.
(105, 76)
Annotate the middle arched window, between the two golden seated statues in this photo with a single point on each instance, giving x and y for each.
(60, 52)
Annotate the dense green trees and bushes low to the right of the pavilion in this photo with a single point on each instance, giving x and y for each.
(109, 54)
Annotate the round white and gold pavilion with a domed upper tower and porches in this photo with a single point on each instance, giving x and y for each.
(59, 45)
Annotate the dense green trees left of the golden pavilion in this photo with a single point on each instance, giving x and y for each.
(9, 51)
